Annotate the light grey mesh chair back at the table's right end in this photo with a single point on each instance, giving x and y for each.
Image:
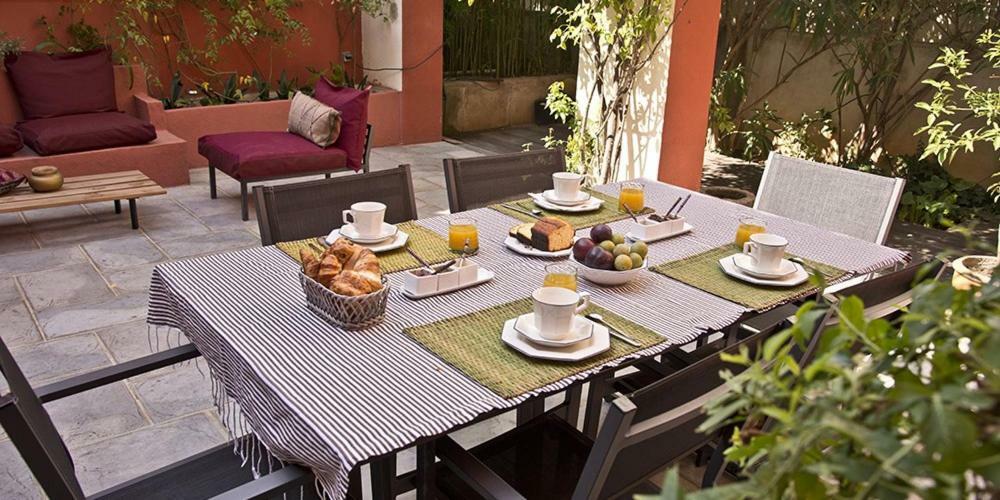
(847, 201)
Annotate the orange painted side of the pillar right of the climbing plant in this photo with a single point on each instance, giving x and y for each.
(689, 87)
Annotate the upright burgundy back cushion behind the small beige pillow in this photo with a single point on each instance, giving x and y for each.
(353, 106)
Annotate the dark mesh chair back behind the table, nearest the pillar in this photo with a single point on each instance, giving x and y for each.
(480, 181)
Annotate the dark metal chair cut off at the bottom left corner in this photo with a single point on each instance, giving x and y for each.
(217, 471)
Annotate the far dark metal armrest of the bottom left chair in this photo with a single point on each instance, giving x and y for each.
(122, 371)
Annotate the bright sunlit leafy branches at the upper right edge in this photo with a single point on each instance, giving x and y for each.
(961, 115)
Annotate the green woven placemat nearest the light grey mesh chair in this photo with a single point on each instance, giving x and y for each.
(702, 271)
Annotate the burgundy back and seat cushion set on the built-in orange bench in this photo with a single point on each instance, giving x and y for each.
(68, 103)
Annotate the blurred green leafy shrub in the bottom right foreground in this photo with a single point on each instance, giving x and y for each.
(908, 408)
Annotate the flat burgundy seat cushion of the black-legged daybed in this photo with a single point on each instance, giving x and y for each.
(259, 155)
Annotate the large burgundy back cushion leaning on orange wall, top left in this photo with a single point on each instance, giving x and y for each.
(50, 85)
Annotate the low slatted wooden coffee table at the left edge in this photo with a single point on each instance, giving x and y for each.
(129, 185)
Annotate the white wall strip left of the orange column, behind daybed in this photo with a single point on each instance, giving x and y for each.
(382, 46)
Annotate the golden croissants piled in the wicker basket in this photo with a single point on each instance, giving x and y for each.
(344, 267)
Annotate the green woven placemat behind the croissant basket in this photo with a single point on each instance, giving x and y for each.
(426, 243)
